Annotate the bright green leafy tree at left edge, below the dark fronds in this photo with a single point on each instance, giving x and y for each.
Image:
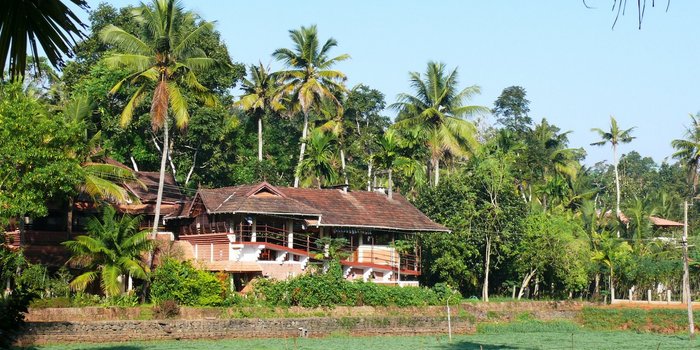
(39, 147)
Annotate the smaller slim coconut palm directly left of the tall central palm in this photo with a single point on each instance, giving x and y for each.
(261, 96)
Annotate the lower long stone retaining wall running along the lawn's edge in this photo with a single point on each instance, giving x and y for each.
(132, 330)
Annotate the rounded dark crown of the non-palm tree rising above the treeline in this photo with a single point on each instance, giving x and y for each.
(511, 109)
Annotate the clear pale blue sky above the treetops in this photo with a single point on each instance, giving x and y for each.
(576, 69)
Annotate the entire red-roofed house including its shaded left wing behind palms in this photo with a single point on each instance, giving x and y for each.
(261, 230)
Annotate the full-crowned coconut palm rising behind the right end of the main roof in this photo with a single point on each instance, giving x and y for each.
(439, 108)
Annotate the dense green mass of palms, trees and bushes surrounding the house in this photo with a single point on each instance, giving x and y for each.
(530, 218)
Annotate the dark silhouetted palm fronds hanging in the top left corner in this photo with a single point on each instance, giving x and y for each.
(50, 24)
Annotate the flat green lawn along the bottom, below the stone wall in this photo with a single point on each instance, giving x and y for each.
(518, 340)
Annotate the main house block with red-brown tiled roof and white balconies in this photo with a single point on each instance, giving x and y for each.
(277, 232)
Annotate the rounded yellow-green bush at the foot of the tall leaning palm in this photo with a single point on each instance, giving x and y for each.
(187, 285)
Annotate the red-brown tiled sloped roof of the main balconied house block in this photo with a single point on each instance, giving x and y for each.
(334, 206)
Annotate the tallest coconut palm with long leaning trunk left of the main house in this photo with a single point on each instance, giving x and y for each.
(163, 59)
